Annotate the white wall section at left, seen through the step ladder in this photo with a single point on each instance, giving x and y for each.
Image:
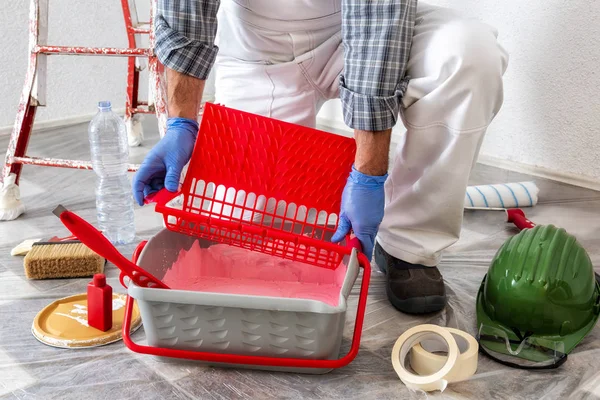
(75, 84)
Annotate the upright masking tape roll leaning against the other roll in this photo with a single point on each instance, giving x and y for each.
(413, 336)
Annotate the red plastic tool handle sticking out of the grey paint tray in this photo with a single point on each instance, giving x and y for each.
(97, 242)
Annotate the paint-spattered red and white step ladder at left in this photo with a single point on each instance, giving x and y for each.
(34, 95)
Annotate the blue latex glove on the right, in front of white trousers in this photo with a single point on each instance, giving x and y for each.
(363, 201)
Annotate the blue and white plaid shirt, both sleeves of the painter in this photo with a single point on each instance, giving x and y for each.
(377, 35)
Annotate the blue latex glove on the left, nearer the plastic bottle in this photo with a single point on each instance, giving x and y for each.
(163, 165)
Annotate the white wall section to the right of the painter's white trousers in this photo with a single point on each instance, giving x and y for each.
(551, 114)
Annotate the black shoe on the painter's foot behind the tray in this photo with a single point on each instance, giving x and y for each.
(411, 288)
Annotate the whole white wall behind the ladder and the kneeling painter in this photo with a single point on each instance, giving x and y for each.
(550, 118)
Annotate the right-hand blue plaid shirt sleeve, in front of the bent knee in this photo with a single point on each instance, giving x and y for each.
(377, 36)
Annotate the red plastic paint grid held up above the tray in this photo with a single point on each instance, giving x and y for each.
(274, 187)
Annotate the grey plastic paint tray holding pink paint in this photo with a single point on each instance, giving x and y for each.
(237, 324)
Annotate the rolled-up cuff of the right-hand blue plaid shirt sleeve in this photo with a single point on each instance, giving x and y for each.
(371, 113)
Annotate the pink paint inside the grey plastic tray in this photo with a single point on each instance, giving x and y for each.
(226, 269)
